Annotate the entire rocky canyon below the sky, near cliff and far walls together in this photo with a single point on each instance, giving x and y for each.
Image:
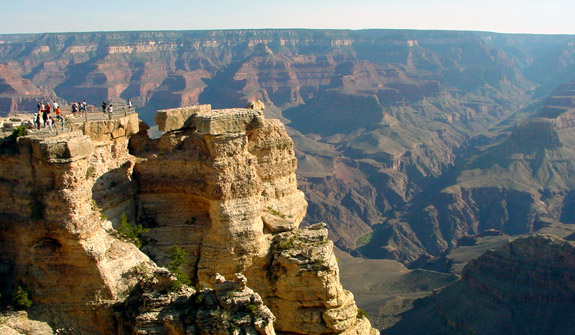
(411, 146)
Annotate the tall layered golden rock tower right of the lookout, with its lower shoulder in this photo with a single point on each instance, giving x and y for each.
(223, 187)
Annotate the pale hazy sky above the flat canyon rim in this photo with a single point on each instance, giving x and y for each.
(505, 16)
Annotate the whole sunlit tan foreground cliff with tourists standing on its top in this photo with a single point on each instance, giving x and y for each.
(222, 186)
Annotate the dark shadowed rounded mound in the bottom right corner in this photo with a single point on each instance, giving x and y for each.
(525, 286)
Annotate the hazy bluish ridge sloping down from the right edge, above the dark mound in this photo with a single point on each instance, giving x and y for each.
(511, 186)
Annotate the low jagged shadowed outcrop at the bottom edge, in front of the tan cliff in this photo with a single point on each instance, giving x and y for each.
(231, 307)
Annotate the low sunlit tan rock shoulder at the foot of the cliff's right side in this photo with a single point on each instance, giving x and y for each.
(308, 305)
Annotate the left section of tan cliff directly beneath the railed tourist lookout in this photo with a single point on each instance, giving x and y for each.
(53, 235)
